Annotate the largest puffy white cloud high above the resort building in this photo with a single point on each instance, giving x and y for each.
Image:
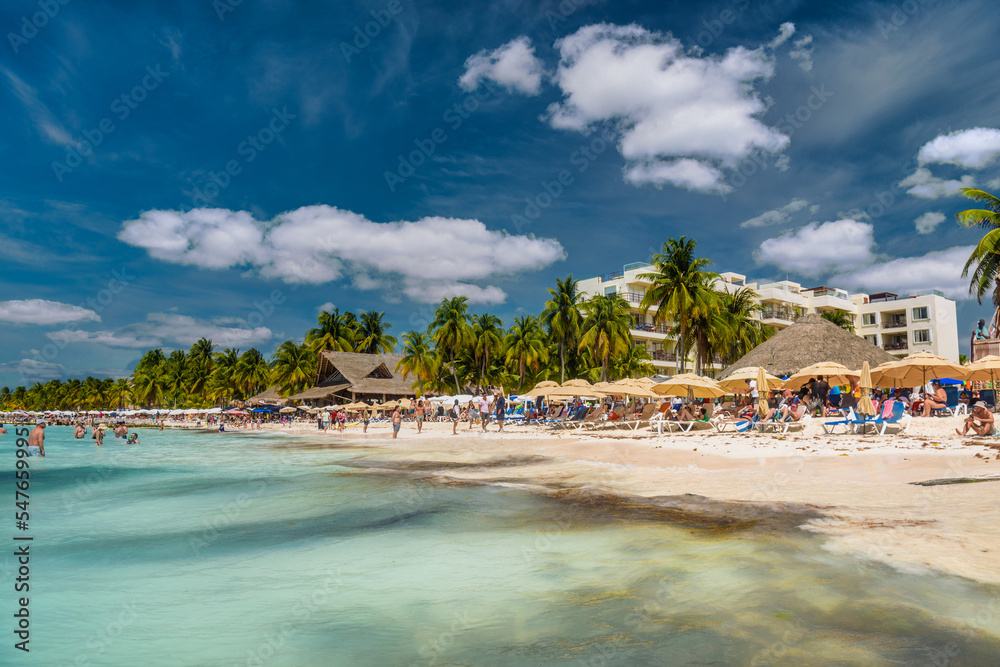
(667, 103)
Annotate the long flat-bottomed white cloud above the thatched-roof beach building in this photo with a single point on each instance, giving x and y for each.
(320, 244)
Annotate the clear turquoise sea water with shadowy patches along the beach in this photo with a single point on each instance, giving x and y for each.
(209, 549)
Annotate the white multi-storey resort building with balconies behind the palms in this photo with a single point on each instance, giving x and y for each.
(923, 321)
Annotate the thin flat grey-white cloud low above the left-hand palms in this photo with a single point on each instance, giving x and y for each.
(160, 329)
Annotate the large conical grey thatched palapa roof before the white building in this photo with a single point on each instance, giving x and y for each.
(811, 339)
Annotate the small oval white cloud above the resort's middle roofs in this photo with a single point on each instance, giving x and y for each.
(820, 248)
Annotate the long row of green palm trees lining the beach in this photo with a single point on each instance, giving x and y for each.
(573, 337)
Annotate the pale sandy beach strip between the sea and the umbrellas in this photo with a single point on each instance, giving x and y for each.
(858, 493)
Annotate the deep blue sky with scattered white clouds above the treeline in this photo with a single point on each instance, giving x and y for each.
(178, 169)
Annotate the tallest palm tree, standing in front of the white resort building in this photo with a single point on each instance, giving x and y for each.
(681, 289)
